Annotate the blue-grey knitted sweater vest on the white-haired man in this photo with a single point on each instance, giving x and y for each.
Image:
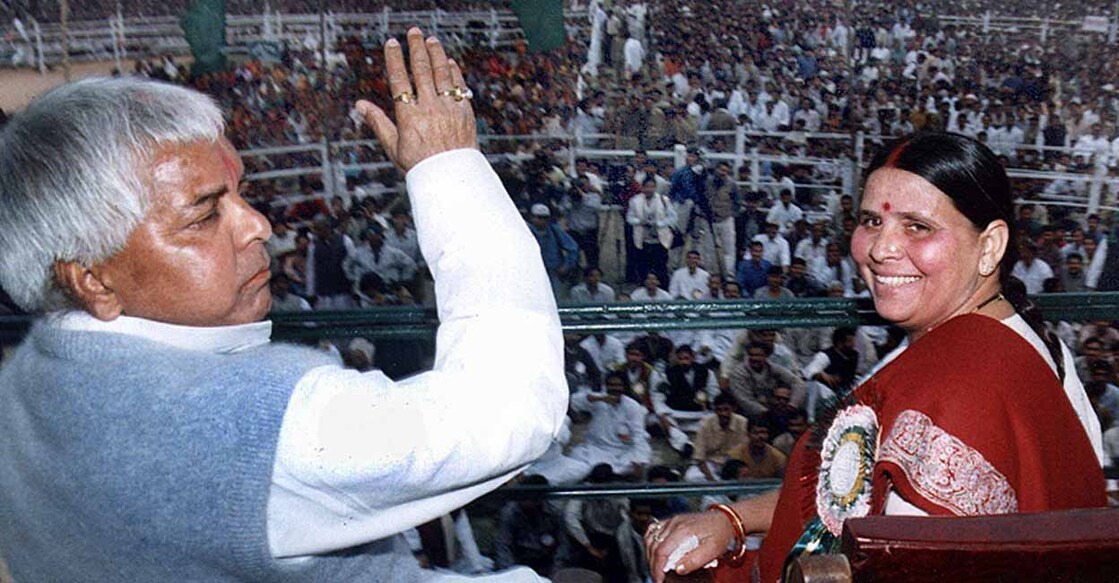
(125, 460)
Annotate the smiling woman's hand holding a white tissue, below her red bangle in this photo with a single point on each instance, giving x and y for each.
(713, 531)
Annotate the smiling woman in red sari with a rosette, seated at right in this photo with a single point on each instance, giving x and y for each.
(981, 413)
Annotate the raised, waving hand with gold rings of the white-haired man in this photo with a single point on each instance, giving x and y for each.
(436, 118)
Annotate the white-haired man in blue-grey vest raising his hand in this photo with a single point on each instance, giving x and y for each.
(152, 431)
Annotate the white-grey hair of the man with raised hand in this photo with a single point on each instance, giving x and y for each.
(73, 168)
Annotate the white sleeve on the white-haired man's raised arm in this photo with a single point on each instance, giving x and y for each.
(361, 457)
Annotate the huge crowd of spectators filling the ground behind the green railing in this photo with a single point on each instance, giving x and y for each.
(712, 406)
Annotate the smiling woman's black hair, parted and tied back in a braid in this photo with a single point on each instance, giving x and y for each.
(973, 178)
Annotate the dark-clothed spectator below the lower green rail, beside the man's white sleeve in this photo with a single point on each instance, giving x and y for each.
(532, 533)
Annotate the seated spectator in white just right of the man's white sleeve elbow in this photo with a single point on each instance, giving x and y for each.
(616, 436)
